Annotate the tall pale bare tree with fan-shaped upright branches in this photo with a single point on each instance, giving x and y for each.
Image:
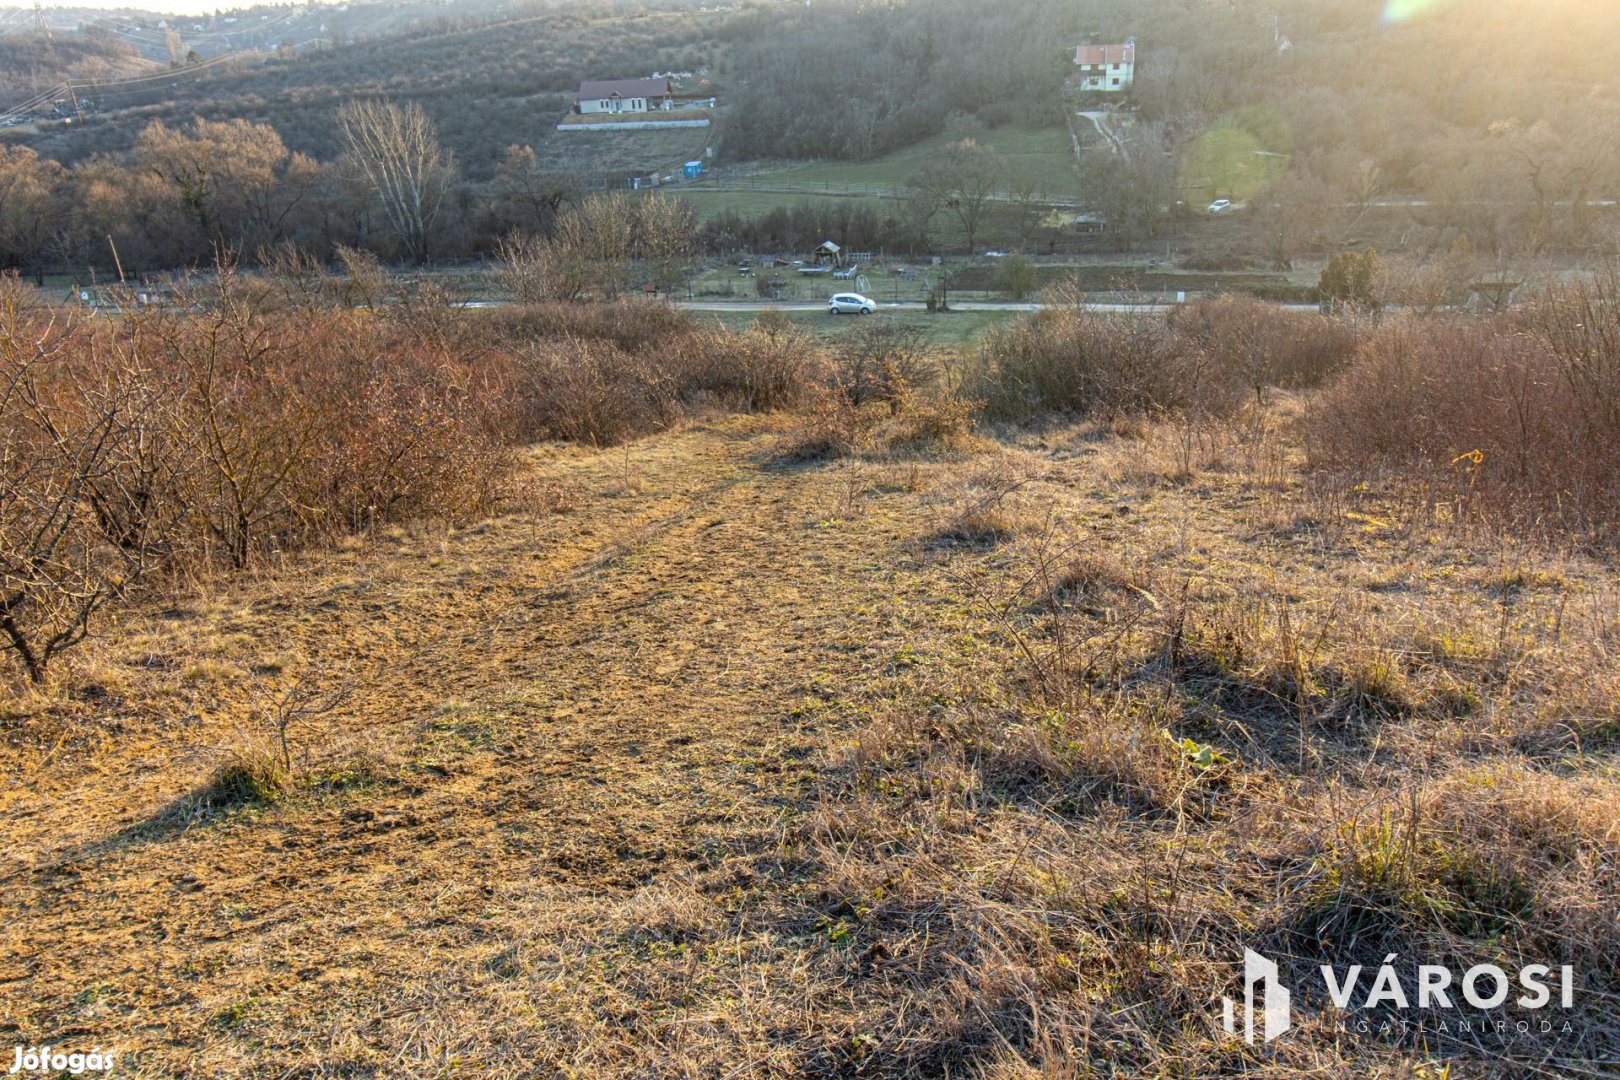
(398, 151)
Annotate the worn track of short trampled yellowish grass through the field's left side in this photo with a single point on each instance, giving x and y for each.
(578, 713)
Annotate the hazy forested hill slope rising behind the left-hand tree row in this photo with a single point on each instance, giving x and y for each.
(1311, 117)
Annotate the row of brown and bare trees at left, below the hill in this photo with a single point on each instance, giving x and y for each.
(208, 190)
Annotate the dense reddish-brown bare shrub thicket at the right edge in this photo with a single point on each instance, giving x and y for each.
(1506, 422)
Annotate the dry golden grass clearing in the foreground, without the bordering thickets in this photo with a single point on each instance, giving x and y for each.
(720, 763)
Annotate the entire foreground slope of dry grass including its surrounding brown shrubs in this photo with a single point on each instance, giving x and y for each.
(762, 713)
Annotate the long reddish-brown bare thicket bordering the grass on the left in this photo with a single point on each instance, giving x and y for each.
(271, 420)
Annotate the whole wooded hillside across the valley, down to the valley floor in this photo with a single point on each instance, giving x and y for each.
(1323, 127)
